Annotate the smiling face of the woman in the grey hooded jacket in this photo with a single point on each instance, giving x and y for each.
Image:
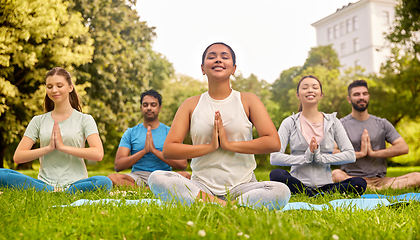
(309, 91)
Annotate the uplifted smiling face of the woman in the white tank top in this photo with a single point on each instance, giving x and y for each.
(218, 62)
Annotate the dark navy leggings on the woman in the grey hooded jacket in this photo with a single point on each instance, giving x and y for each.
(352, 185)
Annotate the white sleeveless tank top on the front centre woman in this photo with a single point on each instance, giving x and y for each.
(221, 170)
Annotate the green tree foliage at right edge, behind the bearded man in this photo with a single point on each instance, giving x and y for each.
(398, 88)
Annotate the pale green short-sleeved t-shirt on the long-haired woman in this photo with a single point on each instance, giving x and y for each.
(58, 168)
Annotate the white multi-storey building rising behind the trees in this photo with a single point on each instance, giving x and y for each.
(356, 32)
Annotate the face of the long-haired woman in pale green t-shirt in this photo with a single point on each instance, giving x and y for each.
(58, 89)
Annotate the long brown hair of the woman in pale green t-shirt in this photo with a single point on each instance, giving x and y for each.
(73, 96)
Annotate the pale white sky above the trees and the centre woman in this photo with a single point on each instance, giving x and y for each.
(268, 36)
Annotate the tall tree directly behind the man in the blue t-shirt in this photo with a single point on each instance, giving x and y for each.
(123, 66)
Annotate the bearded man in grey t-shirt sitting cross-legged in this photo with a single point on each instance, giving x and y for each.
(368, 134)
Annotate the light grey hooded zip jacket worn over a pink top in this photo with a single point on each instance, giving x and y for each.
(313, 169)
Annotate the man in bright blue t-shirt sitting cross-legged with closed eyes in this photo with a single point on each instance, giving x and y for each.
(141, 146)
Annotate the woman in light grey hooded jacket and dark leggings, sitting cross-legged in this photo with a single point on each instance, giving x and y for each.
(311, 135)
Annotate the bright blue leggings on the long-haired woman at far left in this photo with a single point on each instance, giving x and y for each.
(13, 179)
